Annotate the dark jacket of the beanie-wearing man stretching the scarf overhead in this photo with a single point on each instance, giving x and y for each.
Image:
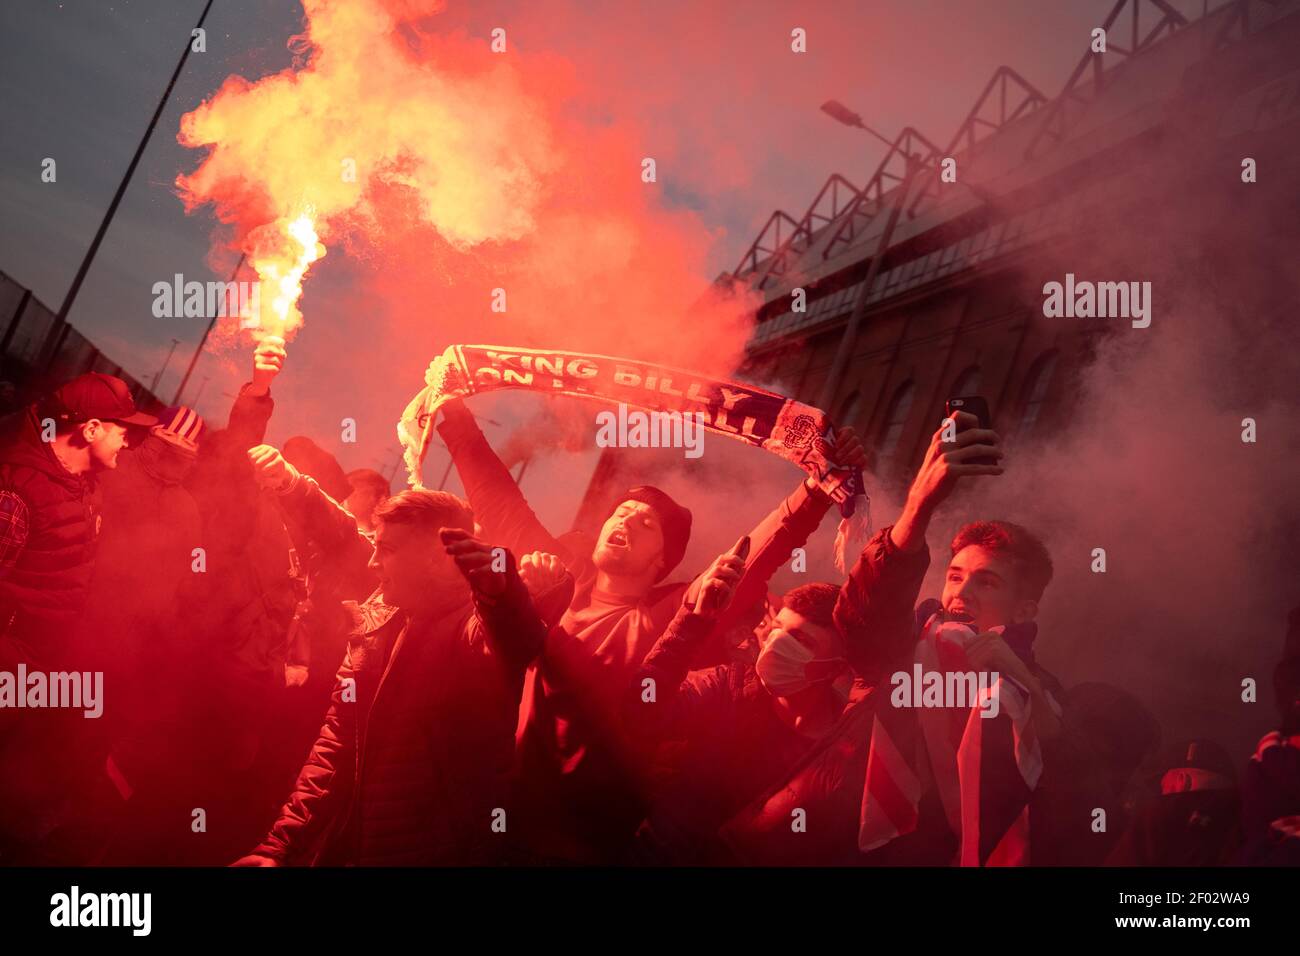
(580, 773)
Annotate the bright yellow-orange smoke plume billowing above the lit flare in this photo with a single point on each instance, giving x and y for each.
(471, 175)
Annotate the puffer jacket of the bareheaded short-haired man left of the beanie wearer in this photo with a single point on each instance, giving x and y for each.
(413, 762)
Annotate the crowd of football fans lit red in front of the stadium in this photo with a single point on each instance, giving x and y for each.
(301, 668)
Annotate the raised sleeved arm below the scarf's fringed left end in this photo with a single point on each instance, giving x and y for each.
(496, 500)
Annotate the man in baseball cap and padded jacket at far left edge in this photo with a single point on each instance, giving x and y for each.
(51, 455)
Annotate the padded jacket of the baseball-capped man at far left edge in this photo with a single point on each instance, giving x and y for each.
(45, 594)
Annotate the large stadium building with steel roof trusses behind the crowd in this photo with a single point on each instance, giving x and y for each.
(926, 279)
